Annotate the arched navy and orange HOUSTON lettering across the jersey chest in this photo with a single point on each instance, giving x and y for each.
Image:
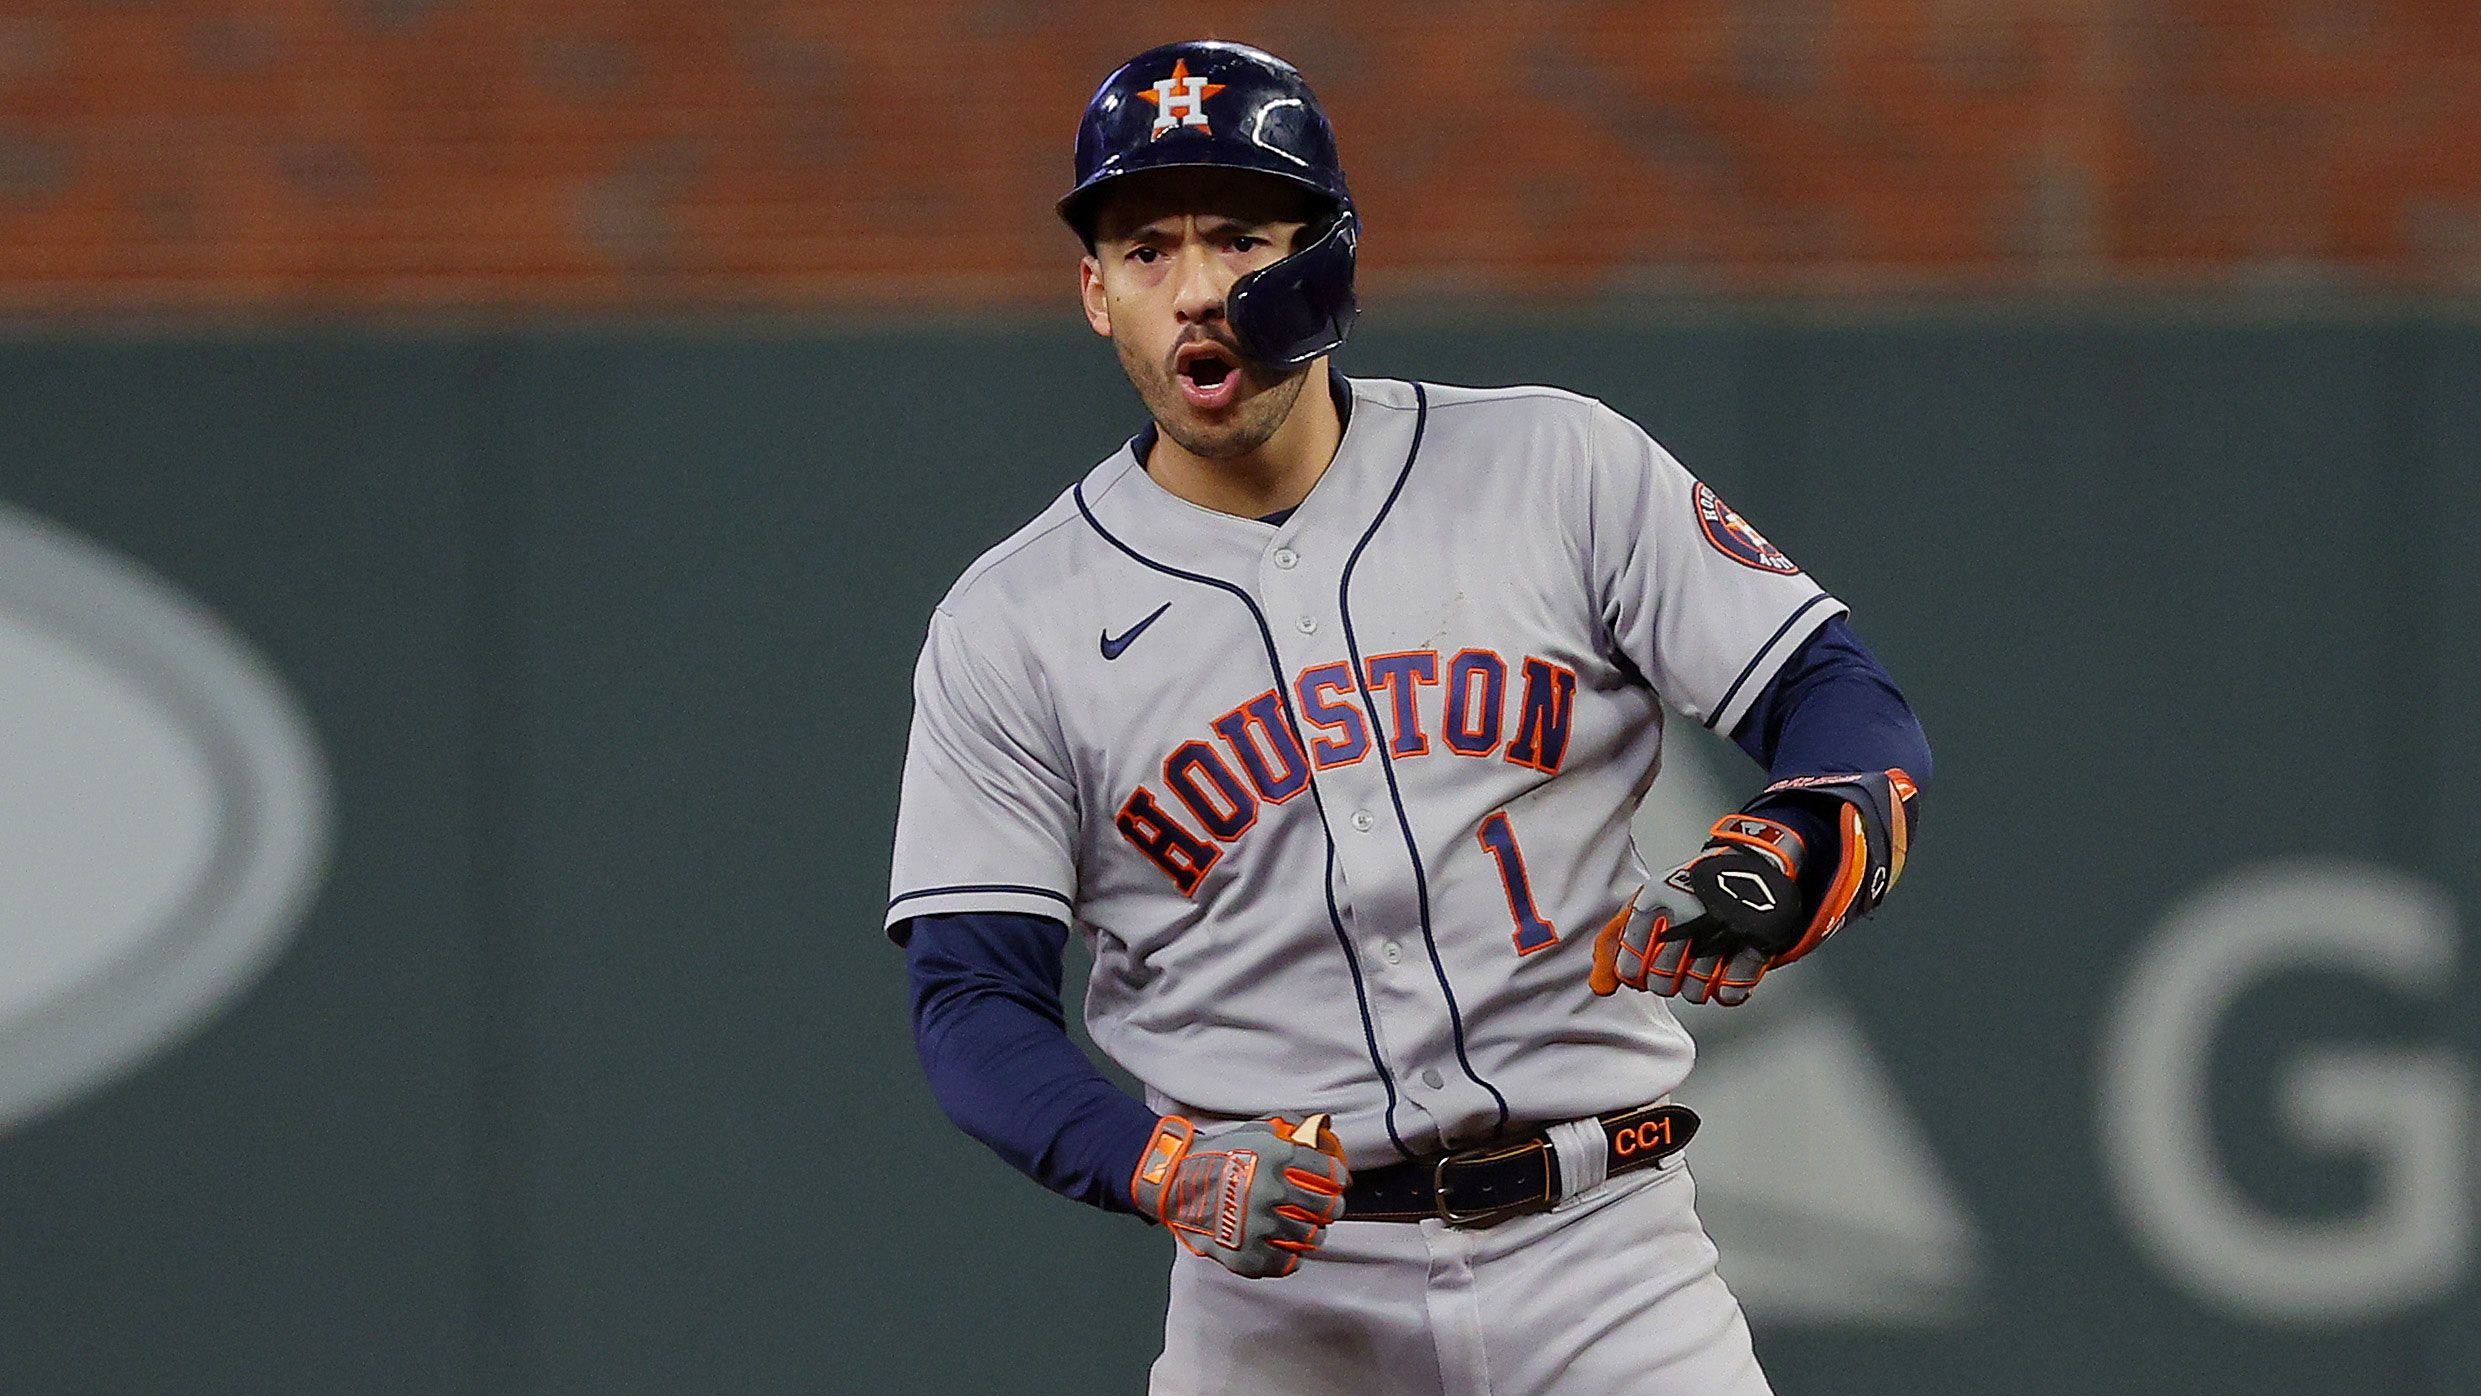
(1254, 758)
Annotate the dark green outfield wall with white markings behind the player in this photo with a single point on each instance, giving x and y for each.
(587, 1065)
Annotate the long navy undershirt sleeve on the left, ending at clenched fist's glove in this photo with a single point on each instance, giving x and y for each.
(999, 1055)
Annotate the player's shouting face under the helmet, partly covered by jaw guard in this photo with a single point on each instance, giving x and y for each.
(1167, 252)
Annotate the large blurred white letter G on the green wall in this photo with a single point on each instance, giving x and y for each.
(2400, 1110)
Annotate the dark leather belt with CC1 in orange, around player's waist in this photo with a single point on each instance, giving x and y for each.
(1510, 1179)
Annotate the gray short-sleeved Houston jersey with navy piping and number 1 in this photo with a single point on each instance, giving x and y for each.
(1341, 802)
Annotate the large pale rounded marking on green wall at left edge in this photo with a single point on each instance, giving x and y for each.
(163, 815)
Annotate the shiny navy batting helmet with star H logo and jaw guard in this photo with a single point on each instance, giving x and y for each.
(1217, 105)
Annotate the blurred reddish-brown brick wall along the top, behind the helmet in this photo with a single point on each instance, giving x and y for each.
(904, 152)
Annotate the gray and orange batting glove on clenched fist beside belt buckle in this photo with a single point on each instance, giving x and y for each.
(1252, 1196)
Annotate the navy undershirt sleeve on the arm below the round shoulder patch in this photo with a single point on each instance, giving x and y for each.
(1830, 710)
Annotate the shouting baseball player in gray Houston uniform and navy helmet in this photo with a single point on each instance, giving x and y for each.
(1321, 710)
